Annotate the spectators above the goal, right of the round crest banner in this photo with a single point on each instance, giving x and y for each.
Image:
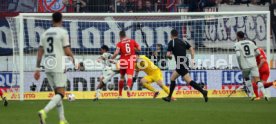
(153, 5)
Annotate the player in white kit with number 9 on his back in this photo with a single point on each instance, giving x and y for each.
(246, 52)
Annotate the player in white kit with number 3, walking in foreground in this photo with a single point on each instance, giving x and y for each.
(54, 45)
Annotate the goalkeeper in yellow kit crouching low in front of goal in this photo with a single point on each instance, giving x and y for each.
(154, 74)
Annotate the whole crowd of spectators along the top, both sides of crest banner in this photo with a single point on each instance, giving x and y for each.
(124, 5)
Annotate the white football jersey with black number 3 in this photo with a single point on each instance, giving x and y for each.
(53, 41)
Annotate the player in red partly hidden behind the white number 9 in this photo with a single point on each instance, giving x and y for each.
(264, 72)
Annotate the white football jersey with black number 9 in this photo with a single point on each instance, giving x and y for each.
(246, 51)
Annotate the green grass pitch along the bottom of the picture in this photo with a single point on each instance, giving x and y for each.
(147, 111)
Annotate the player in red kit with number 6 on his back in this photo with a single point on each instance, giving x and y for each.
(127, 48)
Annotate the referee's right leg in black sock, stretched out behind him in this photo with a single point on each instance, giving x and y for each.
(195, 85)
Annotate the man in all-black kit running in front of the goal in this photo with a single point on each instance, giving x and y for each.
(178, 47)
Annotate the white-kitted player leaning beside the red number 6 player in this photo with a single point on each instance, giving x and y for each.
(109, 69)
